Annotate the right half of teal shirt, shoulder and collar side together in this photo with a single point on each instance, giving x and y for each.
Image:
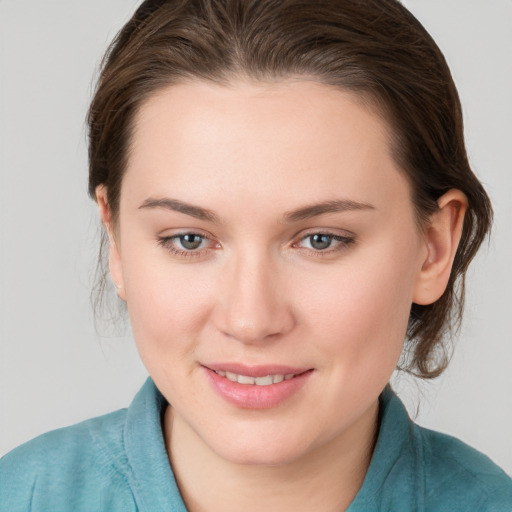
(414, 468)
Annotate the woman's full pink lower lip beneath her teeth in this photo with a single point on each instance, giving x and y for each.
(251, 396)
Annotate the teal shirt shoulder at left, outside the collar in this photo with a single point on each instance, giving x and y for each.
(71, 464)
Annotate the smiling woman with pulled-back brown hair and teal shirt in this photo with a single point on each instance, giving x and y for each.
(286, 197)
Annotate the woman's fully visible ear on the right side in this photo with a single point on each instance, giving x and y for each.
(442, 236)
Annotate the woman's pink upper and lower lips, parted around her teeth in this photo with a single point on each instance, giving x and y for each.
(251, 396)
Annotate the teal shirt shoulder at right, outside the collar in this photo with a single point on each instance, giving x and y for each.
(457, 475)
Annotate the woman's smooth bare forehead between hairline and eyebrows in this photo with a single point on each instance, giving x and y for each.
(275, 140)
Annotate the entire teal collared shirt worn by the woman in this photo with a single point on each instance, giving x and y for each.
(118, 462)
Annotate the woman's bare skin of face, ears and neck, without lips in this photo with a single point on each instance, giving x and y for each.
(258, 292)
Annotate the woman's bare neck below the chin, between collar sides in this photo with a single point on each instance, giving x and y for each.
(327, 478)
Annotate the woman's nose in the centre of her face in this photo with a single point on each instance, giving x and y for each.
(253, 305)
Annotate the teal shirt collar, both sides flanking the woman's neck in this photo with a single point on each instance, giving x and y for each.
(394, 480)
